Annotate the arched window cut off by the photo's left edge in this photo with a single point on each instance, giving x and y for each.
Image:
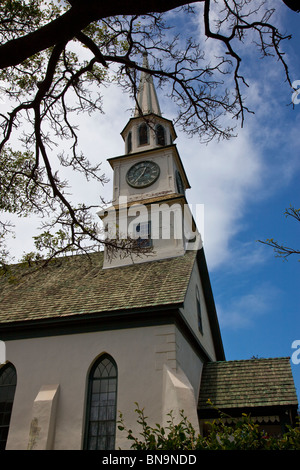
(8, 382)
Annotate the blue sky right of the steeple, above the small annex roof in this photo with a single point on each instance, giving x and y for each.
(257, 295)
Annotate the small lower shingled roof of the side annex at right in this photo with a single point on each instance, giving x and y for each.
(247, 383)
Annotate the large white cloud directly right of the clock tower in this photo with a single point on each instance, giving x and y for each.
(224, 176)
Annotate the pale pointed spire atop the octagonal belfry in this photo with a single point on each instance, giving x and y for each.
(147, 98)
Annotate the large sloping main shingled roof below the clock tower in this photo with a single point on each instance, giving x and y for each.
(78, 285)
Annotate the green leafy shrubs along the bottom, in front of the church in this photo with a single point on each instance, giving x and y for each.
(244, 435)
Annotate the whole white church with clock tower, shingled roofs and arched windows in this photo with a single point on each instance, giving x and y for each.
(87, 337)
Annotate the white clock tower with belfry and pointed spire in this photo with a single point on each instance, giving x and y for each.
(149, 205)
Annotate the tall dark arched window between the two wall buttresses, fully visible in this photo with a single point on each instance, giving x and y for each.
(101, 405)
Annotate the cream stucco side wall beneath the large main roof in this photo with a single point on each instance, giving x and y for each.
(141, 354)
